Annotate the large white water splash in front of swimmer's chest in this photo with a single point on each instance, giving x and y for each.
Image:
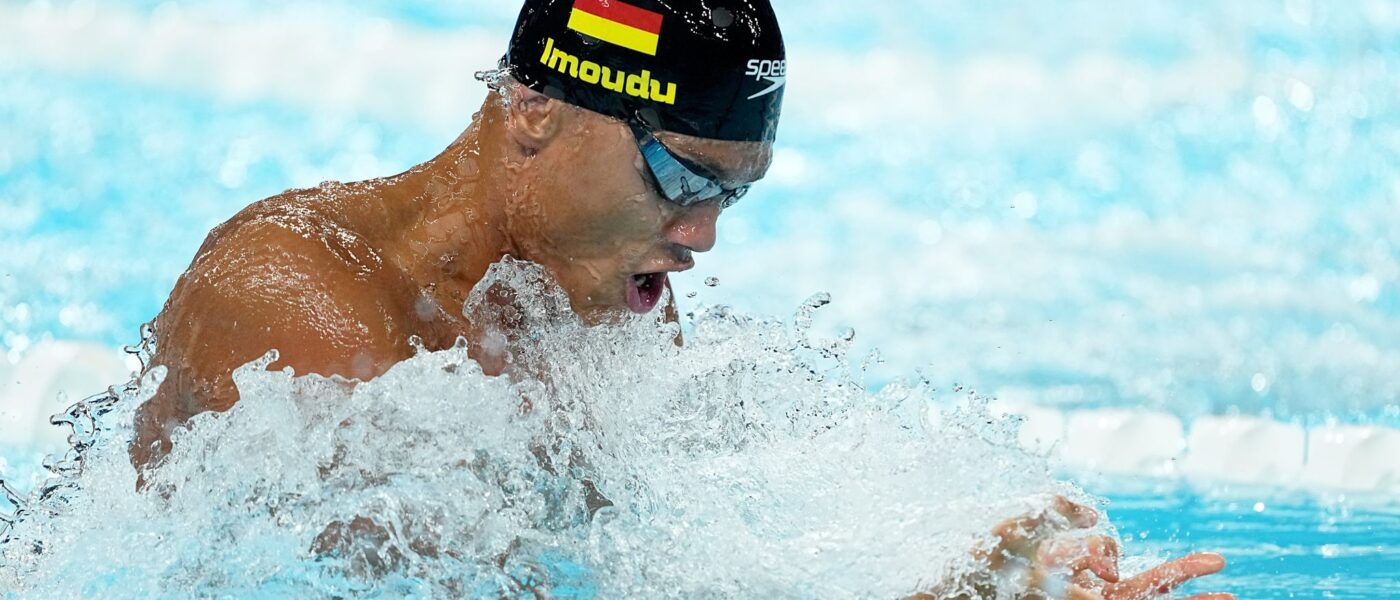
(611, 464)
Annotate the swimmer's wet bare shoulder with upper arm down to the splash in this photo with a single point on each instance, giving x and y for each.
(283, 275)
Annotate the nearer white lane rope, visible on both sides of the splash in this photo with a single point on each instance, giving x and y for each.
(1129, 443)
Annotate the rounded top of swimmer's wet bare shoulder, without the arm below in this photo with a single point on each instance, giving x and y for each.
(292, 271)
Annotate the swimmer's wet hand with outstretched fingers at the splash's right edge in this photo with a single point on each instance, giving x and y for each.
(1053, 556)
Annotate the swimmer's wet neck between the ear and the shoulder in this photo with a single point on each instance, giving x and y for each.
(460, 226)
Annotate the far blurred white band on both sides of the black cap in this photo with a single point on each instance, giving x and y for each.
(401, 72)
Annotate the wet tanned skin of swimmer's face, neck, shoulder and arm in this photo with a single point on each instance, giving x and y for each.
(339, 278)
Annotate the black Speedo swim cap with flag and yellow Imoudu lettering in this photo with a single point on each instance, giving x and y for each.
(716, 71)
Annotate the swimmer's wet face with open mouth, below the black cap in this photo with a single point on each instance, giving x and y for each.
(589, 210)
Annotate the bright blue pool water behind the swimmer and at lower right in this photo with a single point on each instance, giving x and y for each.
(1192, 209)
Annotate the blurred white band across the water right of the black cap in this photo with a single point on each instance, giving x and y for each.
(999, 93)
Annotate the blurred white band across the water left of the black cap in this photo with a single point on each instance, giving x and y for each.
(332, 64)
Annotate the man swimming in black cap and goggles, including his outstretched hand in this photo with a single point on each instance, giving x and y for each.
(608, 148)
